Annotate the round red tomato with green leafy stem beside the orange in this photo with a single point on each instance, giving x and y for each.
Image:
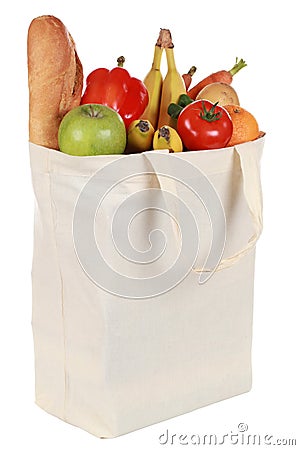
(203, 125)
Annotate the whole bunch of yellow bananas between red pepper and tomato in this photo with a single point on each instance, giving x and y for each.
(156, 129)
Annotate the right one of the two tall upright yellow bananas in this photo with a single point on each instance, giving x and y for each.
(173, 87)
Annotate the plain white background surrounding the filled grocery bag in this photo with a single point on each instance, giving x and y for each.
(209, 35)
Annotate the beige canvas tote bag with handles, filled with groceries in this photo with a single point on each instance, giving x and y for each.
(142, 282)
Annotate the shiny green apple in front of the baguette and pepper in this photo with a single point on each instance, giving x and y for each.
(92, 129)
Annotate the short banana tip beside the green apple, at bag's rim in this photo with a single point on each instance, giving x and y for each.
(139, 136)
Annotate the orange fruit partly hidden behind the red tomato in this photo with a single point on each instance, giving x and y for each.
(245, 126)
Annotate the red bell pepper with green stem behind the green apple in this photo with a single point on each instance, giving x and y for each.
(116, 88)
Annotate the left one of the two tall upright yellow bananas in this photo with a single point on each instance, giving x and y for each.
(153, 82)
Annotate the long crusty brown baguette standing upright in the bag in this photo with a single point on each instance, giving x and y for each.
(55, 78)
